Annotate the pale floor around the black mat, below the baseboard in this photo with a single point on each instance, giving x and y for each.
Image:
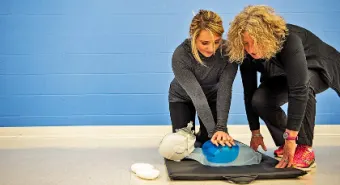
(84, 160)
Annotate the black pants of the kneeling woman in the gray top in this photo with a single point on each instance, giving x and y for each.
(182, 113)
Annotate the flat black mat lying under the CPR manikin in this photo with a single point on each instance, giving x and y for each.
(189, 169)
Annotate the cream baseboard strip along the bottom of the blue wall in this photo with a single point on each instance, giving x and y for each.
(130, 131)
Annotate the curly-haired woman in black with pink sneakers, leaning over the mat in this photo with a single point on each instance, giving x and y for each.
(295, 65)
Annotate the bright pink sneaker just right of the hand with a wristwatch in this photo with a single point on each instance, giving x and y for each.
(304, 158)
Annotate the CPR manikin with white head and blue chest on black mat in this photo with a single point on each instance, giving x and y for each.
(180, 145)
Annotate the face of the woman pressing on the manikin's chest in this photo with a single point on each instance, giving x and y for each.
(205, 43)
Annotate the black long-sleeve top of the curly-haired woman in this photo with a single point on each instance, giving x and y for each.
(301, 51)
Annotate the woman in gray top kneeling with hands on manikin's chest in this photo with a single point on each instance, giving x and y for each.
(203, 80)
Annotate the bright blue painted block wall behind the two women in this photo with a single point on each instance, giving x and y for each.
(107, 62)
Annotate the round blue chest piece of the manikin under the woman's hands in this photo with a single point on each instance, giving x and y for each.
(220, 154)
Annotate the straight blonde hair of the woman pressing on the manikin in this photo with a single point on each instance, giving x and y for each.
(204, 20)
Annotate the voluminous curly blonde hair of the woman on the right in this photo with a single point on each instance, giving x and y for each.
(267, 29)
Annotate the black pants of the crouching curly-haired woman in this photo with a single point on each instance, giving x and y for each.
(268, 98)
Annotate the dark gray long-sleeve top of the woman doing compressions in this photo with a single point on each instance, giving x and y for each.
(201, 84)
